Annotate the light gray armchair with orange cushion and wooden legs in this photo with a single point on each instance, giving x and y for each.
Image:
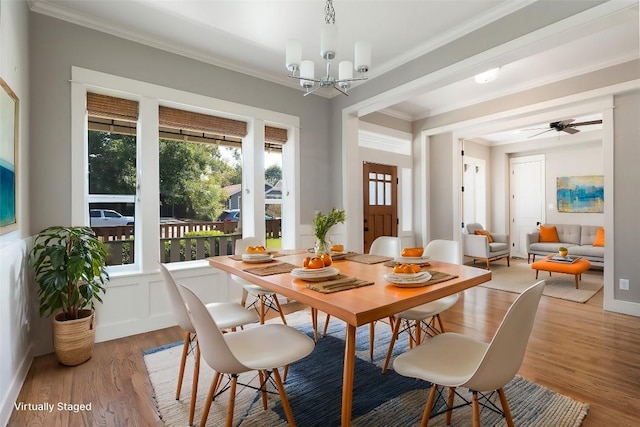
(479, 244)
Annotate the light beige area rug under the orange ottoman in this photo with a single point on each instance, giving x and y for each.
(519, 276)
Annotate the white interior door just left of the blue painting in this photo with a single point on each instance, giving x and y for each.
(527, 204)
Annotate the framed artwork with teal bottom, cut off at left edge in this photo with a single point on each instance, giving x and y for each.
(8, 159)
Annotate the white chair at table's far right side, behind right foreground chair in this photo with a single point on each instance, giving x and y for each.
(424, 316)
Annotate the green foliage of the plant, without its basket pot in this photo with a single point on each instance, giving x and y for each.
(70, 269)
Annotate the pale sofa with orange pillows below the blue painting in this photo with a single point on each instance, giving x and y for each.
(578, 239)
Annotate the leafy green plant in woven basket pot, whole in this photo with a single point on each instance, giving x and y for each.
(70, 269)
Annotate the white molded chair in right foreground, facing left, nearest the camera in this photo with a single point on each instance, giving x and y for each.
(454, 360)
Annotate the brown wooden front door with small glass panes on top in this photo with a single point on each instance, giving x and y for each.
(380, 185)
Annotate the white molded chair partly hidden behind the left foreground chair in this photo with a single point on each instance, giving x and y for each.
(228, 314)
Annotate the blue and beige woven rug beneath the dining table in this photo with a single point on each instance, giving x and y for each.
(314, 388)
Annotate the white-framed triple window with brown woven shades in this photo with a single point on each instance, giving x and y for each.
(131, 193)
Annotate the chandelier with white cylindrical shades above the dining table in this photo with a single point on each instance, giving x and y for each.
(303, 70)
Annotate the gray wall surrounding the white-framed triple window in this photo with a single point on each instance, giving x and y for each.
(56, 45)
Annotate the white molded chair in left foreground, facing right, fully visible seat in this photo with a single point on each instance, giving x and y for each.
(264, 349)
